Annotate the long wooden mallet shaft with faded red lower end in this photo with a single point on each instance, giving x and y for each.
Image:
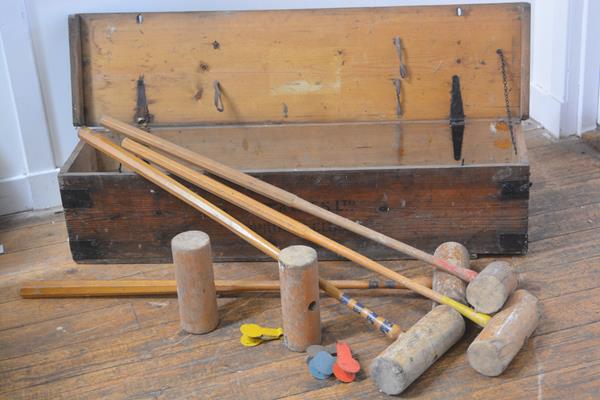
(280, 195)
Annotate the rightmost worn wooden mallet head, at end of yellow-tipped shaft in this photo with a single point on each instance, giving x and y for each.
(504, 335)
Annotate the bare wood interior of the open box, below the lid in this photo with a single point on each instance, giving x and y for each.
(332, 146)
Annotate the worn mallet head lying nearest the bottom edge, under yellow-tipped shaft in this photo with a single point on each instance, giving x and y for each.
(417, 349)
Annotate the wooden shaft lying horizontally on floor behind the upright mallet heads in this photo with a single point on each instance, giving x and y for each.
(138, 287)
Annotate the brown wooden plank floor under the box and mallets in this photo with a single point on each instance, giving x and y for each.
(133, 348)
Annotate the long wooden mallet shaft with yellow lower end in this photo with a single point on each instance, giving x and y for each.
(293, 226)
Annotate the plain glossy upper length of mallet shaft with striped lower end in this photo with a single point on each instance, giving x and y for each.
(181, 192)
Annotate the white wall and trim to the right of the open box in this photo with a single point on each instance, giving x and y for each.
(565, 70)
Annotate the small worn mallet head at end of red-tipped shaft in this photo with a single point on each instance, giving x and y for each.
(488, 292)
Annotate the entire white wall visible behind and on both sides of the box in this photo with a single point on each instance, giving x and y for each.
(35, 94)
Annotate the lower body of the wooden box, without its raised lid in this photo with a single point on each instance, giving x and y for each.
(419, 202)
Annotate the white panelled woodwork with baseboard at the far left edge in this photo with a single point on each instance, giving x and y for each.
(27, 166)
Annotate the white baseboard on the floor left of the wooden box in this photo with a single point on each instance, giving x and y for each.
(29, 192)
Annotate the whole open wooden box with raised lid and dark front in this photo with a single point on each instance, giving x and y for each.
(312, 101)
